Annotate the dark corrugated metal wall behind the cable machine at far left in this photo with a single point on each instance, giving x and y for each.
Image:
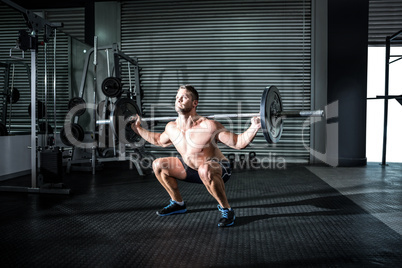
(11, 21)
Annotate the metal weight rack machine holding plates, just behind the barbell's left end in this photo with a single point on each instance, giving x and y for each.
(88, 153)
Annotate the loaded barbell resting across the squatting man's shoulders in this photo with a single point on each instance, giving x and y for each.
(271, 114)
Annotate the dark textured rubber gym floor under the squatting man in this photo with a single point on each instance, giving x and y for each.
(310, 216)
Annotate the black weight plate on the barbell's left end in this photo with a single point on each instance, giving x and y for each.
(123, 109)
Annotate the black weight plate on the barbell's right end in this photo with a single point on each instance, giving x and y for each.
(271, 104)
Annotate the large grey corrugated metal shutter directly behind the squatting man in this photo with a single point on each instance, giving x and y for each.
(230, 51)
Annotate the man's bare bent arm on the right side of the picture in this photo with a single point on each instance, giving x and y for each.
(240, 141)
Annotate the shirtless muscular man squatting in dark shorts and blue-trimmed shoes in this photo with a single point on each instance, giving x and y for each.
(195, 138)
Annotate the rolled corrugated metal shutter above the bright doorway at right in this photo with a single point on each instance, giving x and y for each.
(385, 19)
